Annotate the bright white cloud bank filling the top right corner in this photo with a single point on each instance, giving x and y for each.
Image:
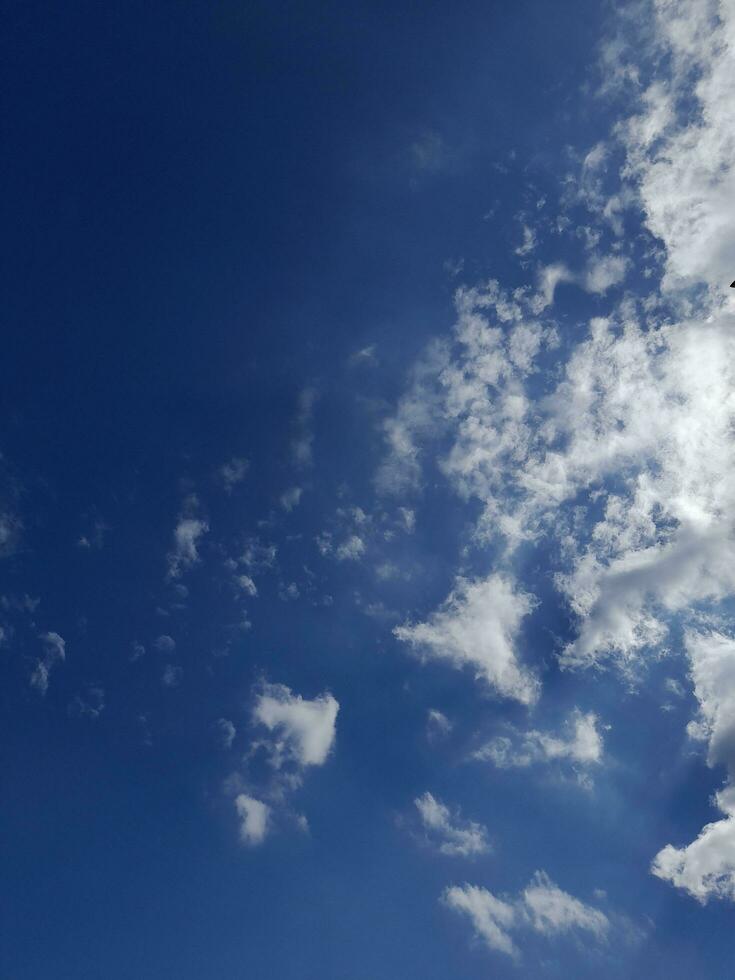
(680, 143)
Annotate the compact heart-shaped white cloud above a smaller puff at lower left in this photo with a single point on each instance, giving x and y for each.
(305, 730)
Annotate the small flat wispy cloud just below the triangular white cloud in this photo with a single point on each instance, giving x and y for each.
(580, 743)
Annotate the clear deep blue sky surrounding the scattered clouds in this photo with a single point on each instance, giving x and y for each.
(208, 207)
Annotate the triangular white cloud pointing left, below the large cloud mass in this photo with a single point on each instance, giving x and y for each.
(477, 627)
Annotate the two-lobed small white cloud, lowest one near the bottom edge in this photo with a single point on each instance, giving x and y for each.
(542, 907)
